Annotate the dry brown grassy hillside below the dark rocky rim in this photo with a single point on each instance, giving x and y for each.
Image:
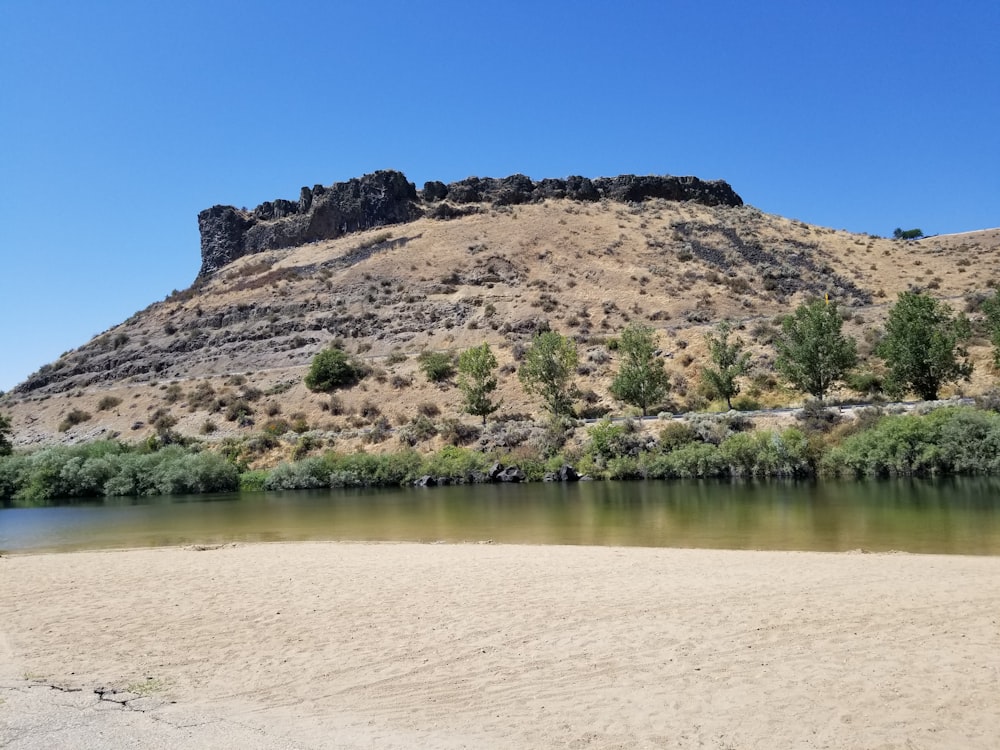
(242, 338)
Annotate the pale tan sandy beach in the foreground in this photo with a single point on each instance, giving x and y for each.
(333, 645)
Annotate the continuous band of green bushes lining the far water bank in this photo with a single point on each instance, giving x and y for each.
(946, 441)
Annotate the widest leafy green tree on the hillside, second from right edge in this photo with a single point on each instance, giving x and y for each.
(923, 346)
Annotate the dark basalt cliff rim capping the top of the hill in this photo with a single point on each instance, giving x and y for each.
(386, 197)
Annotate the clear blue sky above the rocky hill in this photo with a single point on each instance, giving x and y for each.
(120, 120)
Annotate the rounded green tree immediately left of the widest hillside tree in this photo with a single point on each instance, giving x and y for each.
(813, 353)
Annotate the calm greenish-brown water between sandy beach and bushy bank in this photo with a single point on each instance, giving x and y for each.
(956, 516)
